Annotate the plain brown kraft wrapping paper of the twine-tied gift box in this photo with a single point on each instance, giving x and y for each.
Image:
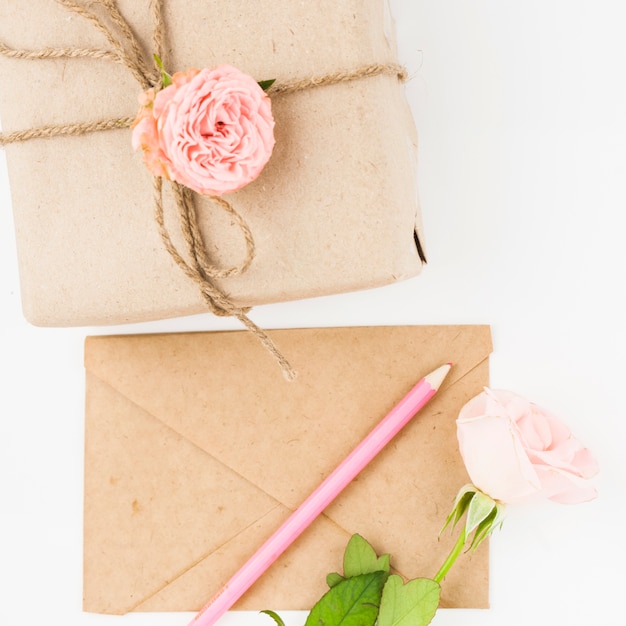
(335, 210)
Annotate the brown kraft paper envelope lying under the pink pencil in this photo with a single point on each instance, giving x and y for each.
(196, 451)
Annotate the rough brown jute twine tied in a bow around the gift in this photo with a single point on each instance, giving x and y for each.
(125, 49)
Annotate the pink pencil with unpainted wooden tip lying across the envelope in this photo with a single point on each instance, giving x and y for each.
(330, 488)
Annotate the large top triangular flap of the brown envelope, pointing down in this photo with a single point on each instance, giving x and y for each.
(218, 391)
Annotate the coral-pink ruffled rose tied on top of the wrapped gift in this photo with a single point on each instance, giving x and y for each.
(211, 130)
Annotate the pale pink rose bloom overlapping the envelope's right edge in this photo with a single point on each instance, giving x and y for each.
(515, 451)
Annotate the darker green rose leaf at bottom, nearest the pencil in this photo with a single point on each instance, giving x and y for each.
(352, 602)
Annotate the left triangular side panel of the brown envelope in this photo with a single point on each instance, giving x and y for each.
(150, 497)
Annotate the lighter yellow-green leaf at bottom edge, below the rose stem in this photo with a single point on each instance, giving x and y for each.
(412, 604)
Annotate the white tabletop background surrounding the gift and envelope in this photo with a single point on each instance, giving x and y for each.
(521, 109)
